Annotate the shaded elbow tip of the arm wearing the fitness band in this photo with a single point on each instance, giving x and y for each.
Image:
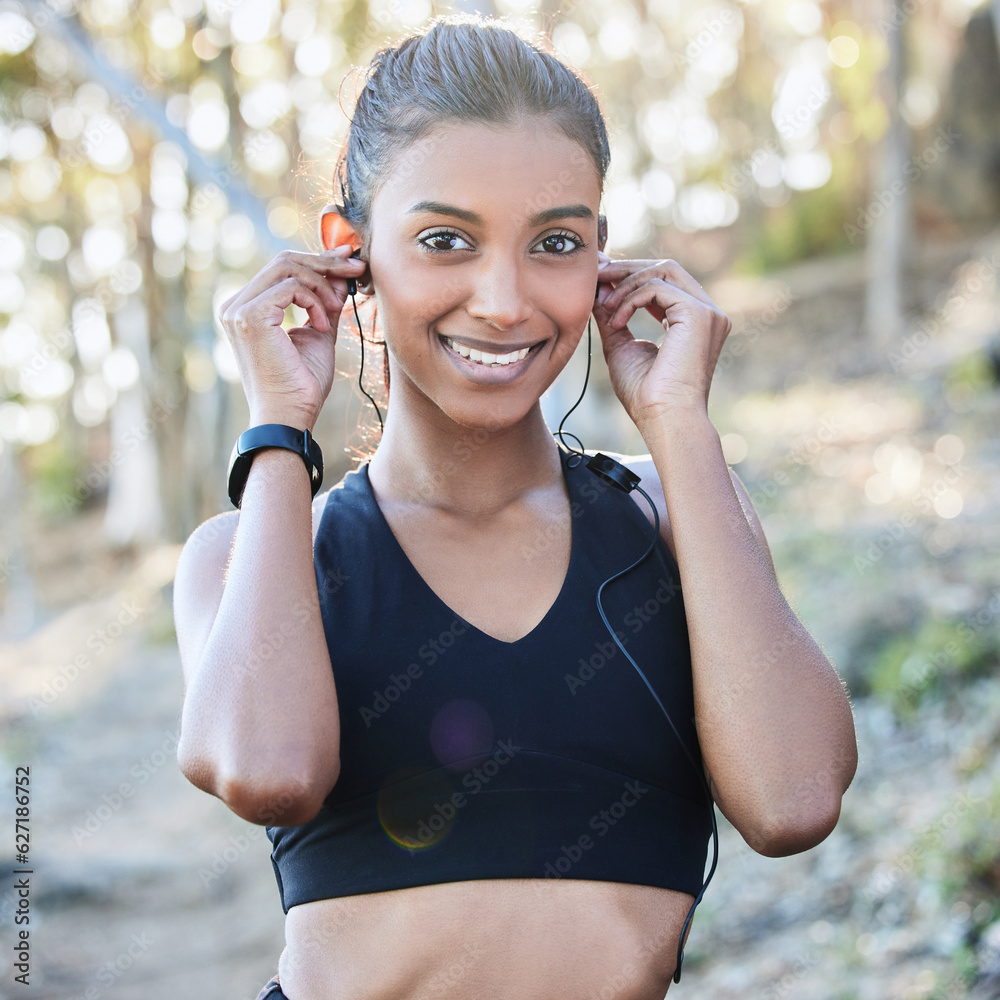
(287, 798)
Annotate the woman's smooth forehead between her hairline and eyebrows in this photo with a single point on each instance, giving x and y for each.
(502, 173)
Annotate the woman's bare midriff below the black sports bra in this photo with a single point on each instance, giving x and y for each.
(486, 939)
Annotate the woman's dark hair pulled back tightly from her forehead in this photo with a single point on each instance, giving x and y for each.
(458, 68)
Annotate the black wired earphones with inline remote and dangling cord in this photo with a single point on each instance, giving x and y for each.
(624, 479)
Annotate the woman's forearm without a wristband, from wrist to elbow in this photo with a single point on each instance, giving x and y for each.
(774, 721)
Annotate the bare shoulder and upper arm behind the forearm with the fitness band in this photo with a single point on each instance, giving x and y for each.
(200, 580)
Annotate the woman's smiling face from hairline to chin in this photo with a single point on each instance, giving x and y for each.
(484, 242)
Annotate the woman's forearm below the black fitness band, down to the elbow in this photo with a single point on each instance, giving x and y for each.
(261, 714)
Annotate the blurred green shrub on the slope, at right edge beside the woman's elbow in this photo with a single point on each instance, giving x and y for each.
(908, 668)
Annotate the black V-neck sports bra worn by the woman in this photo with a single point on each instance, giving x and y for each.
(467, 757)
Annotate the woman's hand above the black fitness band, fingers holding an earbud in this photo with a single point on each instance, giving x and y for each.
(287, 375)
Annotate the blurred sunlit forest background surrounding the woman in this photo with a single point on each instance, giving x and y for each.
(830, 171)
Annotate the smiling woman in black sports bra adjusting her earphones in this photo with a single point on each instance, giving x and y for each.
(468, 788)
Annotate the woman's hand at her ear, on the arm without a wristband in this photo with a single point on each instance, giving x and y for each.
(651, 380)
